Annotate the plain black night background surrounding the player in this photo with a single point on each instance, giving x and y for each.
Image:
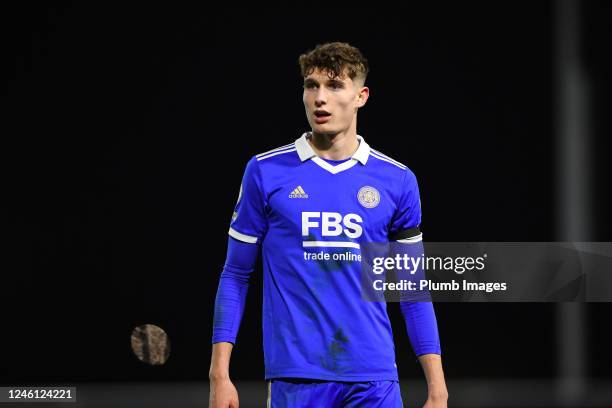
(126, 129)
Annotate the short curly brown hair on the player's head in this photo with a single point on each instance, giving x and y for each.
(335, 58)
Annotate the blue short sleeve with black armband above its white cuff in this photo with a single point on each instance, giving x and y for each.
(405, 226)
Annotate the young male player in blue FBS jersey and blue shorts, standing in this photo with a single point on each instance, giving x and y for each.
(326, 193)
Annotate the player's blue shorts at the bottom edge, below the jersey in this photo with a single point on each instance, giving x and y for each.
(299, 392)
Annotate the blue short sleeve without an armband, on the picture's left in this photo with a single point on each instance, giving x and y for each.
(249, 222)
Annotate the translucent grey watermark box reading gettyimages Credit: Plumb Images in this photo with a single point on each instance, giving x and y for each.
(487, 271)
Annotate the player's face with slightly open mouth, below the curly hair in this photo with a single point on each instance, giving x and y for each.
(331, 104)
